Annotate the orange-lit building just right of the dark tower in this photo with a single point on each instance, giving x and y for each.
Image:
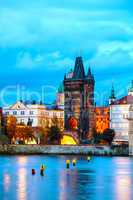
(102, 119)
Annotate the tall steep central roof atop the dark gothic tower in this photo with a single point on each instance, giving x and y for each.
(79, 72)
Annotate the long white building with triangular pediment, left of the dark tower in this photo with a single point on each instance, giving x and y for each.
(35, 115)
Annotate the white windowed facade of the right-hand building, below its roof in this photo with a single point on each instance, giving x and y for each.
(119, 122)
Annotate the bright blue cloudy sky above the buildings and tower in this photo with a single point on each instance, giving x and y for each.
(39, 41)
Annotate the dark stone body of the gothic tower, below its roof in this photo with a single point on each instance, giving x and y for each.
(79, 101)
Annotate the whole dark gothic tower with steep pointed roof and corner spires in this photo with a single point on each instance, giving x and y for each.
(79, 99)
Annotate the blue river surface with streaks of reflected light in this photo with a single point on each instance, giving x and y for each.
(102, 178)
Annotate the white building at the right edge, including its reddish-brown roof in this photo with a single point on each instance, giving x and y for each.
(119, 111)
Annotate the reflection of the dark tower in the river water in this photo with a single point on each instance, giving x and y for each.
(76, 184)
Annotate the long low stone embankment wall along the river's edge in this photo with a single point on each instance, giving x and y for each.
(63, 150)
